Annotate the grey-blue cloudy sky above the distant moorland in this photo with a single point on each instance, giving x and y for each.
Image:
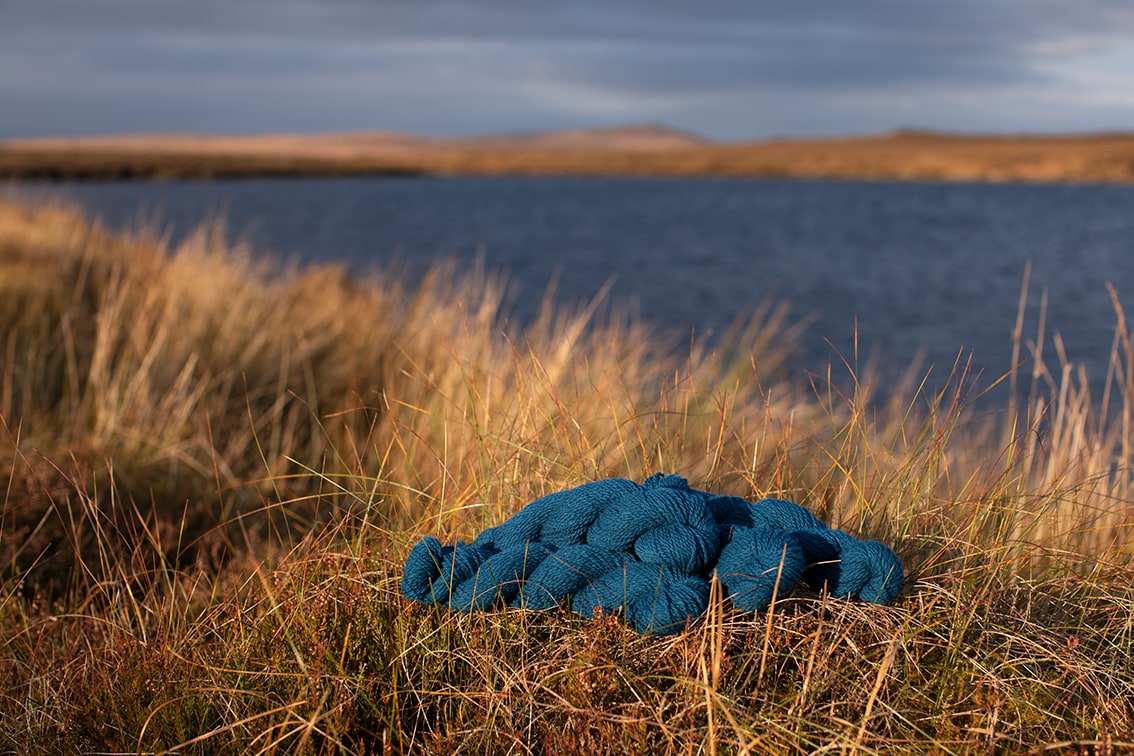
(723, 69)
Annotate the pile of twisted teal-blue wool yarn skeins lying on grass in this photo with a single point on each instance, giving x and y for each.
(647, 553)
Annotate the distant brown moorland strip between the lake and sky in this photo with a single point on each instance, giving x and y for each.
(632, 151)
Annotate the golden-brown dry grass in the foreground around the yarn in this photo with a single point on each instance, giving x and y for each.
(214, 471)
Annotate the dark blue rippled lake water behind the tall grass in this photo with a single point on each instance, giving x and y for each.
(923, 269)
